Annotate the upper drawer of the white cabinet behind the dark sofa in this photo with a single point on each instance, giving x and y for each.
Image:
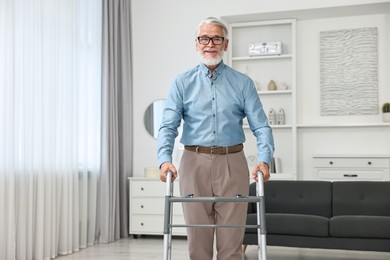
(352, 162)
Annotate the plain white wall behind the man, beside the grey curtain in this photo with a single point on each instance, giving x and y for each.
(163, 46)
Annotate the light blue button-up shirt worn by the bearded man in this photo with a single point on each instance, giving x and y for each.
(212, 107)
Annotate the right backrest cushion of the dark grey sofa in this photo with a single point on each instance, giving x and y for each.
(361, 198)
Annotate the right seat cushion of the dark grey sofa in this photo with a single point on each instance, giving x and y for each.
(360, 226)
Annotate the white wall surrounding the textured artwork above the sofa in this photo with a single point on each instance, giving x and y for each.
(309, 62)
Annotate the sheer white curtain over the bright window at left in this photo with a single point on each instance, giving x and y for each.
(50, 126)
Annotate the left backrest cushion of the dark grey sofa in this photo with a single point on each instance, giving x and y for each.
(298, 197)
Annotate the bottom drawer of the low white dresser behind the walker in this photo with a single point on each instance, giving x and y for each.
(154, 225)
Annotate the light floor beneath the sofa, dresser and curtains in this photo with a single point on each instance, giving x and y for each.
(151, 248)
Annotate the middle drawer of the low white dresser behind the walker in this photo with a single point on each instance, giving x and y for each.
(153, 206)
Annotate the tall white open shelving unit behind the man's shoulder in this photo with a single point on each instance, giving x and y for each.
(262, 69)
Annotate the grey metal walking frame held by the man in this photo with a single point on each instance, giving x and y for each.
(260, 203)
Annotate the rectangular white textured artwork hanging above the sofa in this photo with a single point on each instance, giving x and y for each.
(349, 72)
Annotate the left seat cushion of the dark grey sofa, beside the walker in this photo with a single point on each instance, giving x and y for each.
(292, 224)
